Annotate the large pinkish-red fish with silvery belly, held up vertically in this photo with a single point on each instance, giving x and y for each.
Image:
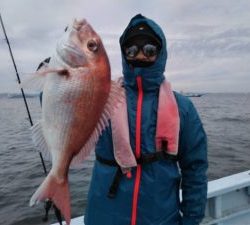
(77, 103)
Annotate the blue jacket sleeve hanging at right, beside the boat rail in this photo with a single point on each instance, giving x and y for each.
(193, 164)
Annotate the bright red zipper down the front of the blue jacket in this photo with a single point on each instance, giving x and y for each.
(137, 151)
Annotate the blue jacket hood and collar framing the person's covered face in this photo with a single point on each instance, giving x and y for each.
(152, 76)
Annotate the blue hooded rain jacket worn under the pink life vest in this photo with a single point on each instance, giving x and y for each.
(158, 198)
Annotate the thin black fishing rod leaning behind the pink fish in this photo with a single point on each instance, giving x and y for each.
(48, 203)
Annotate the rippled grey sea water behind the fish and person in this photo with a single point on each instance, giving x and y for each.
(226, 119)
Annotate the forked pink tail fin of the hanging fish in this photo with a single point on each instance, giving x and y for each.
(57, 192)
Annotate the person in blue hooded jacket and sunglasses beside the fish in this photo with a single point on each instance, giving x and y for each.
(151, 195)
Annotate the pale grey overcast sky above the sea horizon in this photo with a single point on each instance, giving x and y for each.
(208, 41)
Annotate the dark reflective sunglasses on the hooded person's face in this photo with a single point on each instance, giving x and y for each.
(148, 50)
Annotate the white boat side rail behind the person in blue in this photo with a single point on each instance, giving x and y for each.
(228, 201)
